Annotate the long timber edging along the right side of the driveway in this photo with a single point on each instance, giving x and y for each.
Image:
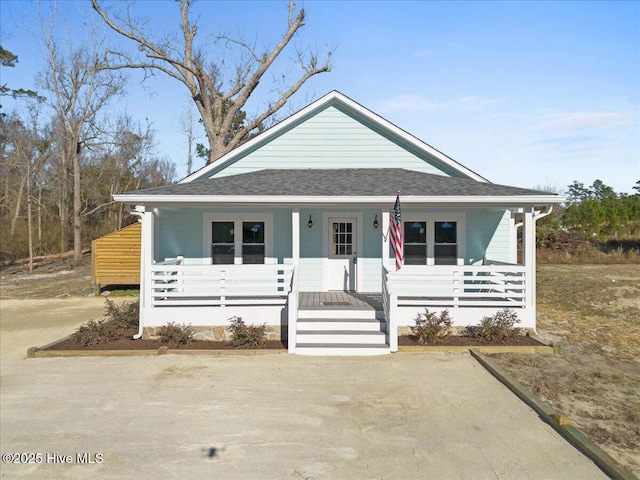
(558, 421)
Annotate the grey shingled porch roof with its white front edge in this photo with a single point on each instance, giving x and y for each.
(344, 185)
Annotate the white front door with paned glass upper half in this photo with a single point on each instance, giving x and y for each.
(342, 254)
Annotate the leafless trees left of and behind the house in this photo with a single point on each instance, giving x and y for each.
(63, 155)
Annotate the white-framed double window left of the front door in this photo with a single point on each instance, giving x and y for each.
(238, 238)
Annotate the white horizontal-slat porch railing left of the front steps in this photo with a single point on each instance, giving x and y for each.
(219, 285)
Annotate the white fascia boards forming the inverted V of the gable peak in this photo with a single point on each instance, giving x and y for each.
(318, 105)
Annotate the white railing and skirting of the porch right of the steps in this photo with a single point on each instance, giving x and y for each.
(438, 287)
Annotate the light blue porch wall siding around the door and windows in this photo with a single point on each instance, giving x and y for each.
(180, 232)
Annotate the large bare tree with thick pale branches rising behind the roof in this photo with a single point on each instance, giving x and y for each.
(219, 92)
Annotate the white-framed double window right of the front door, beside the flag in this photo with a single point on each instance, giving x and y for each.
(434, 240)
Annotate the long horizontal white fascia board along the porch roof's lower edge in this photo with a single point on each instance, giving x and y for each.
(519, 200)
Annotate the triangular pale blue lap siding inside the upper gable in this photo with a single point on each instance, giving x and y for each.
(332, 139)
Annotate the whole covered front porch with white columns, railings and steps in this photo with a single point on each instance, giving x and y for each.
(294, 262)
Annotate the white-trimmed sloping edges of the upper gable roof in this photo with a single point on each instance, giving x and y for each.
(364, 115)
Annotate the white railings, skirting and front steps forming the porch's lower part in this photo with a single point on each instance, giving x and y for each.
(206, 295)
